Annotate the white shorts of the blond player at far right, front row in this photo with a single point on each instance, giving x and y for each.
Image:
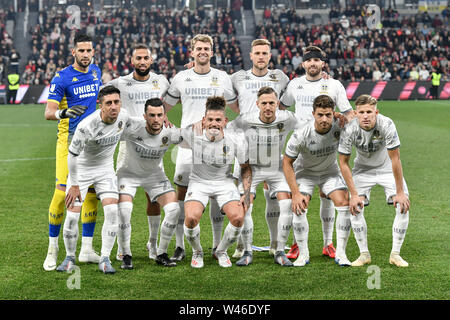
(364, 182)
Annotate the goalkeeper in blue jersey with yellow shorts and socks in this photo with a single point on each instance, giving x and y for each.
(72, 97)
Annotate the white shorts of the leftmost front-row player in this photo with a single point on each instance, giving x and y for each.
(104, 182)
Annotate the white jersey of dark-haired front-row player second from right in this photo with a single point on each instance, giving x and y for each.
(315, 153)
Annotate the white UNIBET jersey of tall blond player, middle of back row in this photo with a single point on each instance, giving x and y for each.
(193, 89)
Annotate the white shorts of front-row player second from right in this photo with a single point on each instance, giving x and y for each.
(327, 183)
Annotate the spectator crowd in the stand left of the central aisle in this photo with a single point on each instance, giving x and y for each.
(115, 31)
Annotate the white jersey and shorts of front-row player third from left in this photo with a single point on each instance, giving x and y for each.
(211, 169)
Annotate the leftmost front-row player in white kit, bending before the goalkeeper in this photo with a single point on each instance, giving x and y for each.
(91, 162)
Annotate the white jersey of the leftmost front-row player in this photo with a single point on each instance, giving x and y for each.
(95, 141)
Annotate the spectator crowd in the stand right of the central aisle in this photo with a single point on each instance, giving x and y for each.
(400, 48)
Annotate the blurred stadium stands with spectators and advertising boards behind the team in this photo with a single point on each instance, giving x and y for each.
(389, 53)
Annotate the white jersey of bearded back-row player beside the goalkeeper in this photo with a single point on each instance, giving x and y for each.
(134, 93)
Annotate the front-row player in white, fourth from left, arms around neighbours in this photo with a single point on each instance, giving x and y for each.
(266, 132)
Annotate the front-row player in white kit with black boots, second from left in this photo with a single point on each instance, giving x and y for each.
(146, 143)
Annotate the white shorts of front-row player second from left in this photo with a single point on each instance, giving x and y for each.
(155, 184)
